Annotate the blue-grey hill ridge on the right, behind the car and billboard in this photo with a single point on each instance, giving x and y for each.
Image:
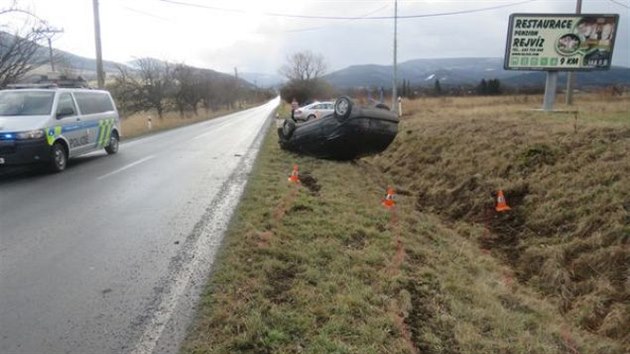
(461, 71)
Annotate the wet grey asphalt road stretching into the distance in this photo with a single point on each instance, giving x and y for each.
(110, 255)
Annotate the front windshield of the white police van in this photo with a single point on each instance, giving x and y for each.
(25, 103)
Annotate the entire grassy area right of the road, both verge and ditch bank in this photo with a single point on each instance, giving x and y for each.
(324, 268)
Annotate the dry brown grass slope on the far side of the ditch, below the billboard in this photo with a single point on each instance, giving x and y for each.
(567, 180)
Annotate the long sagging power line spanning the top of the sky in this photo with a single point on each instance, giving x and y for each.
(313, 17)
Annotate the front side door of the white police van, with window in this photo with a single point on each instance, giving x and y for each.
(72, 128)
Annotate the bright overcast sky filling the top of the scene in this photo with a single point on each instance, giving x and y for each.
(244, 34)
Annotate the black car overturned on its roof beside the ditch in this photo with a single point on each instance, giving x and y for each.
(348, 133)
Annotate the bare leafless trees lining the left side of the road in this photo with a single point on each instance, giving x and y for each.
(147, 84)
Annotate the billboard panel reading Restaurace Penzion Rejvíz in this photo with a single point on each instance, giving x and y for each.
(562, 42)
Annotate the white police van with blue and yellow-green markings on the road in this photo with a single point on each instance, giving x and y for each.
(48, 124)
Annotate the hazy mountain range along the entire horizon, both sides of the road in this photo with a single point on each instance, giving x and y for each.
(419, 72)
